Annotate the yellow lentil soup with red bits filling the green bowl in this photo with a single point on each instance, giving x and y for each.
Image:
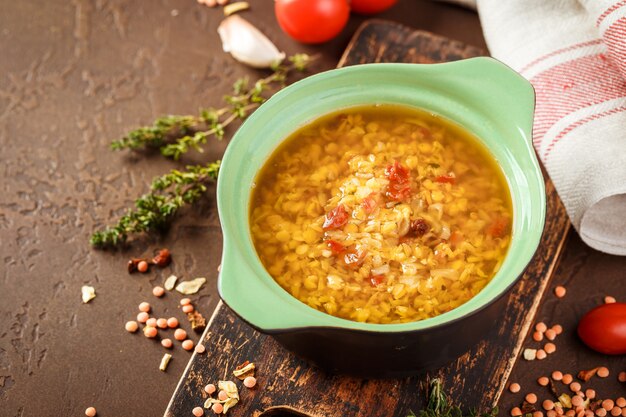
(381, 214)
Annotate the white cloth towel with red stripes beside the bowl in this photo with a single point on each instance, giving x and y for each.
(574, 54)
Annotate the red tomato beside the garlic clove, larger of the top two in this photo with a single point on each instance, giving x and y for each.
(312, 21)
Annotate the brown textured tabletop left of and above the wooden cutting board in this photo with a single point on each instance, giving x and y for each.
(73, 76)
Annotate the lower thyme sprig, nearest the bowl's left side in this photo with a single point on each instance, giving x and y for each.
(154, 210)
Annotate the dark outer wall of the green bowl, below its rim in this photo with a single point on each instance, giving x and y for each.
(371, 354)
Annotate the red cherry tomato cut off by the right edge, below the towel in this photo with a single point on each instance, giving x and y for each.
(603, 329)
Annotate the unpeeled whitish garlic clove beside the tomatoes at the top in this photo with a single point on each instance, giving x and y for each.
(247, 44)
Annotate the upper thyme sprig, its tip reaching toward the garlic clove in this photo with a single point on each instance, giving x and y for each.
(176, 135)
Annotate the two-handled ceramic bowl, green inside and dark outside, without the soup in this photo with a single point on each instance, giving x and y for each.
(480, 94)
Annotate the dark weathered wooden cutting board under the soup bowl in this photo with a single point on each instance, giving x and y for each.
(289, 386)
